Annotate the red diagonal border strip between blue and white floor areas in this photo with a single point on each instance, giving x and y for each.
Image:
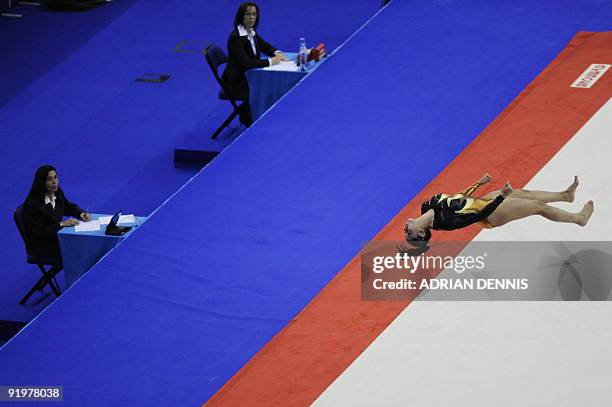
(304, 358)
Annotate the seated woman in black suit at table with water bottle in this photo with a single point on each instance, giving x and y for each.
(244, 48)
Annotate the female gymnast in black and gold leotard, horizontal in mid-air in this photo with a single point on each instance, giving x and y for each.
(450, 212)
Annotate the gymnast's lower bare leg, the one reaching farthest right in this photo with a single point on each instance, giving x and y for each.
(518, 208)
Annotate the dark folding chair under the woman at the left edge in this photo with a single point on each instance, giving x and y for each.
(48, 275)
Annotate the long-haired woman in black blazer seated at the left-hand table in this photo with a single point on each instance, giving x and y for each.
(44, 209)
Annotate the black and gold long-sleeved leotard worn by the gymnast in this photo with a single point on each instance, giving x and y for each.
(460, 210)
